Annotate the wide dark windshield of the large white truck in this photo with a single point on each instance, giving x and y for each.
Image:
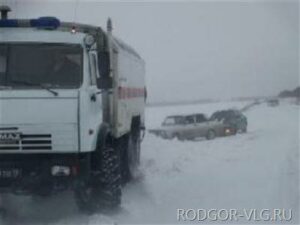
(40, 65)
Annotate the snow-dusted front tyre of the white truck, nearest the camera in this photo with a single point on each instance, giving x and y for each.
(103, 190)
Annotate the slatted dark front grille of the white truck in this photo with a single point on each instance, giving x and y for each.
(29, 142)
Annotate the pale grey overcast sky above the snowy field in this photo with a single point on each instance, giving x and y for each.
(200, 49)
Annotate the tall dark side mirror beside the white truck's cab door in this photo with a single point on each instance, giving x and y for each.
(104, 81)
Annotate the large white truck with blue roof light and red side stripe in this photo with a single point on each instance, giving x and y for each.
(72, 101)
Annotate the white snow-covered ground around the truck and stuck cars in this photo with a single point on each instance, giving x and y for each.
(256, 170)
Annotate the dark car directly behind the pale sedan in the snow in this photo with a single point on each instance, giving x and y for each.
(236, 120)
